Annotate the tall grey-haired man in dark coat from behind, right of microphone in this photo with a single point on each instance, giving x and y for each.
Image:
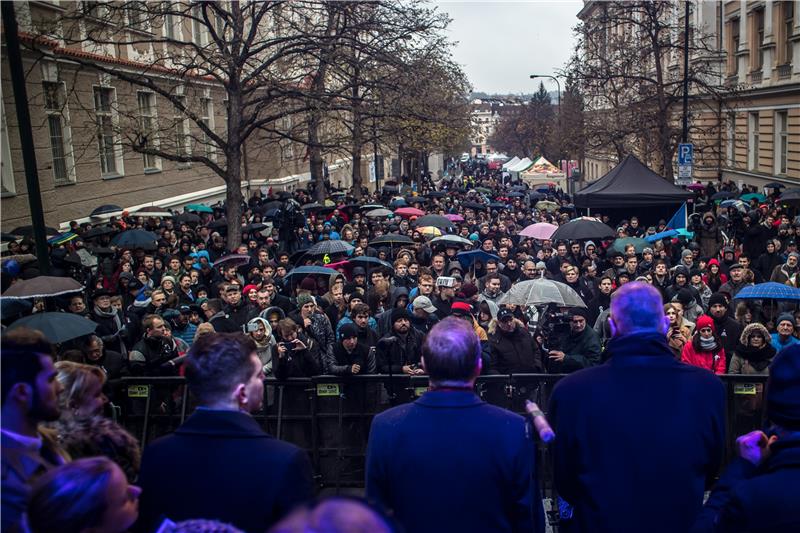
(637, 437)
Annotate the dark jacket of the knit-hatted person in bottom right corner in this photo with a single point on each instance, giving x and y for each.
(758, 499)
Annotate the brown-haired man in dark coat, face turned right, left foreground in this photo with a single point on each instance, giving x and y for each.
(220, 465)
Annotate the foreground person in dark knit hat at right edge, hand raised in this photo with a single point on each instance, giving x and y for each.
(758, 491)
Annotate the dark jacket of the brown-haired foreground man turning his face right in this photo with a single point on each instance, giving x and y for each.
(220, 465)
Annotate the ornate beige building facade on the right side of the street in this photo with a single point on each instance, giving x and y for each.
(749, 132)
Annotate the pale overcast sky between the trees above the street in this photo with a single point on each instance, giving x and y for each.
(501, 43)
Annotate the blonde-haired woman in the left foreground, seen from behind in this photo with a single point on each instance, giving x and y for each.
(82, 430)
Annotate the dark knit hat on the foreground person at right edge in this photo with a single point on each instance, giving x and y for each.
(783, 389)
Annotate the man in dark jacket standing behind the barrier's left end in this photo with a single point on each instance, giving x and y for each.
(155, 353)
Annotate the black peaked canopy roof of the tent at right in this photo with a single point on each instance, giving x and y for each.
(630, 183)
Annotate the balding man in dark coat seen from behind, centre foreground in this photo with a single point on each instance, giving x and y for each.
(476, 460)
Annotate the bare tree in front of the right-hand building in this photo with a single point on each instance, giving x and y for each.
(628, 67)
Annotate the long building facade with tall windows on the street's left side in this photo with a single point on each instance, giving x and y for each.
(84, 122)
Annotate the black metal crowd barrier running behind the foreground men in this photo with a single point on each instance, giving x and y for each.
(329, 416)
